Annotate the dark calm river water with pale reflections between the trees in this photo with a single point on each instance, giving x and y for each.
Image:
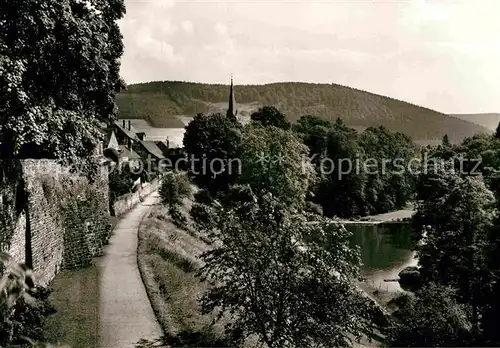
(386, 248)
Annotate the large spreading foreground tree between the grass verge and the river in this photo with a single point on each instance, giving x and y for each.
(284, 277)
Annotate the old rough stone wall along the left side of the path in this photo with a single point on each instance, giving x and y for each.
(63, 221)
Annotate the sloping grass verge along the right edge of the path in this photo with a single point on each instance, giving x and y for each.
(168, 259)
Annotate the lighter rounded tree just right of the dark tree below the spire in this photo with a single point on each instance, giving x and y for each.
(275, 160)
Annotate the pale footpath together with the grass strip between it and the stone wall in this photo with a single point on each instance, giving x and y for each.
(105, 305)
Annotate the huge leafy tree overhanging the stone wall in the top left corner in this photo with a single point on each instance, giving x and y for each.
(59, 74)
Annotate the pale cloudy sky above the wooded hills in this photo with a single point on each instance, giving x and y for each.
(444, 55)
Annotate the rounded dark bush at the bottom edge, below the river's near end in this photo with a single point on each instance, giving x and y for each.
(430, 318)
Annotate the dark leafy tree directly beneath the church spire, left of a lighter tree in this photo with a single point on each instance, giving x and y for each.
(212, 142)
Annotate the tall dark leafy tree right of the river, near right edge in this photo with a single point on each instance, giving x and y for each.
(456, 214)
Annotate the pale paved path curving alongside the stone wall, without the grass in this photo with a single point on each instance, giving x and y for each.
(125, 314)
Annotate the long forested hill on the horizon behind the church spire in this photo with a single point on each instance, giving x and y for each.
(163, 104)
